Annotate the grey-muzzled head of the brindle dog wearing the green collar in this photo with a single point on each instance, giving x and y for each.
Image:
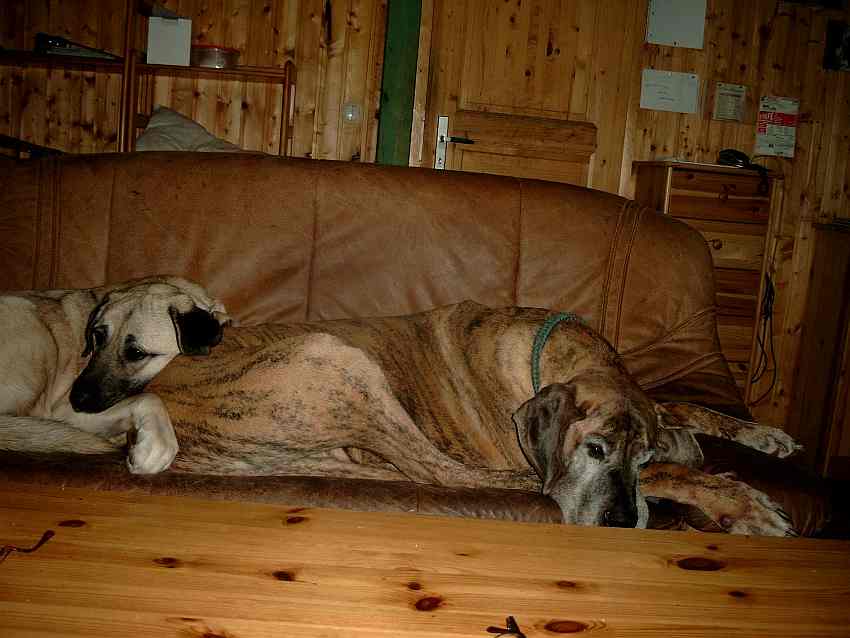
(589, 453)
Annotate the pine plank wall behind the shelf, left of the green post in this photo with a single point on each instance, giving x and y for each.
(78, 111)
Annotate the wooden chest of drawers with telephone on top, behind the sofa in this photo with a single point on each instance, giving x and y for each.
(737, 211)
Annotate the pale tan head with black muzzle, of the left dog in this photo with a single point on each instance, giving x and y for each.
(136, 330)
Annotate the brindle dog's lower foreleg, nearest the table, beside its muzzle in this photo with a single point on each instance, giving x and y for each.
(735, 506)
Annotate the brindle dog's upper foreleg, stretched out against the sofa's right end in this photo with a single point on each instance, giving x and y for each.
(763, 438)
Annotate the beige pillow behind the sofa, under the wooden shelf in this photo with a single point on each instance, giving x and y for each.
(168, 130)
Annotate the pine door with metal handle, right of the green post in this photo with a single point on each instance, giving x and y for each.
(512, 76)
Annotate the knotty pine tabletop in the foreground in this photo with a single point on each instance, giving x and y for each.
(129, 565)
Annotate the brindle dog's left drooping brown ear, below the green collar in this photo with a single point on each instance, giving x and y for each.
(542, 423)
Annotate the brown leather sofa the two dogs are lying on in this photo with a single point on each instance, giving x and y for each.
(282, 240)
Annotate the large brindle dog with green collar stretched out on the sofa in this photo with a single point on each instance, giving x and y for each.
(431, 397)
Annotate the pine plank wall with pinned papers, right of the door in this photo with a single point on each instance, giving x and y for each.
(774, 48)
